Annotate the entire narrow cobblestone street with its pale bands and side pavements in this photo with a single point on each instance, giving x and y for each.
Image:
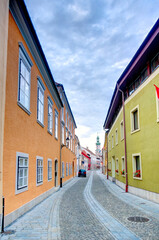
(85, 209)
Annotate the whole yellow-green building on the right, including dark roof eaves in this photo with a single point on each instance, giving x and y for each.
(133, 123)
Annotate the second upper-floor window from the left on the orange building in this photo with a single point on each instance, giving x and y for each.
(40, 102)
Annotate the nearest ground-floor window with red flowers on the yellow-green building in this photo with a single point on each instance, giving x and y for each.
(137, 173)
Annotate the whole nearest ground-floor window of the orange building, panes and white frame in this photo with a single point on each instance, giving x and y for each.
(22, 172)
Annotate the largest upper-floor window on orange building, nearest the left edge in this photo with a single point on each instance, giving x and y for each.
(25, 65)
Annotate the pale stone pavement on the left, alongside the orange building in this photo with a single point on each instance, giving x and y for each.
(41, 222)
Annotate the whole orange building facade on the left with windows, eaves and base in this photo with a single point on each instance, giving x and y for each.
(34, 152)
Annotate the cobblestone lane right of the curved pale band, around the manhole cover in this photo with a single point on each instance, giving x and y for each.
(120, 210)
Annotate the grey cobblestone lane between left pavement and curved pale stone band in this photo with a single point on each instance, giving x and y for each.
(76, 220)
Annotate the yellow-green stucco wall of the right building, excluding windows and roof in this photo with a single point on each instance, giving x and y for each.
(145, 141)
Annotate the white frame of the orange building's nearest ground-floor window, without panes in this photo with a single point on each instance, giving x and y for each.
(24, 187)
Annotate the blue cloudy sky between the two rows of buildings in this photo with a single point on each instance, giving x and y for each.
(88, 44)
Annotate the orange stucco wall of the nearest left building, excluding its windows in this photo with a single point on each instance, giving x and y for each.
(22, 133)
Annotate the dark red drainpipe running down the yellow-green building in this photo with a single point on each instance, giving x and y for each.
(126, 172)
